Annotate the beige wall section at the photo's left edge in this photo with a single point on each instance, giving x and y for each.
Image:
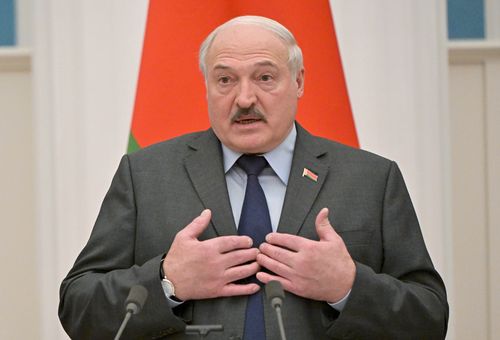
(19, 318)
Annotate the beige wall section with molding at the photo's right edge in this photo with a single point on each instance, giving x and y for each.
(475, 143)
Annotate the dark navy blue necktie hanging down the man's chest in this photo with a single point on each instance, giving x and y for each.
(256, 223)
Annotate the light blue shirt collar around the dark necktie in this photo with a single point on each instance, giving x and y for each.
(280, 158)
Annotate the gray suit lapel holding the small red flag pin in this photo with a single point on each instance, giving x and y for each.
(301, 190)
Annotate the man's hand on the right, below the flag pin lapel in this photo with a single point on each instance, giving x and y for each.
(321, 270)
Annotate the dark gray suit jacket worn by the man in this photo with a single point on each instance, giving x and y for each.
(157, 191)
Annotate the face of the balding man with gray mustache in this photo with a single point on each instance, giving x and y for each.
(252, 97)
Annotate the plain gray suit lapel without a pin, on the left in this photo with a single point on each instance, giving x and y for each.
(206, 172)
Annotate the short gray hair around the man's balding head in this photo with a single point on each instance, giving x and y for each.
(295, 59)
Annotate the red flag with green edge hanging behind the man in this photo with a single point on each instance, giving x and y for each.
(170, 99)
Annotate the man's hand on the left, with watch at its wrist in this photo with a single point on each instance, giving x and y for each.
(208, 269)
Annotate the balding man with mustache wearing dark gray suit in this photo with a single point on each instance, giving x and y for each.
(346, 244)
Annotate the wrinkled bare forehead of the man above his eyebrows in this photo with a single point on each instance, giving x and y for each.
(247, 43)
